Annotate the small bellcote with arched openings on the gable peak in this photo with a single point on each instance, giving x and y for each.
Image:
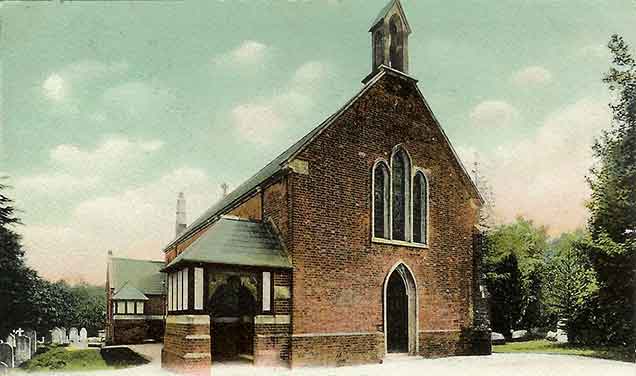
(389, 37)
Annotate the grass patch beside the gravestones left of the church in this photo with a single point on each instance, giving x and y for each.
(60, 358)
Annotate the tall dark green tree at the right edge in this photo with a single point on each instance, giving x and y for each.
(612, 249)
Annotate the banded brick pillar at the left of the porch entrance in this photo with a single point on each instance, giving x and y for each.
(186, 344)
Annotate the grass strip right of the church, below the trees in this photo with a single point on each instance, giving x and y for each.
(547, 347)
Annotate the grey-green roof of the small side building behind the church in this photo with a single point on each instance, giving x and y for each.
(143, 275)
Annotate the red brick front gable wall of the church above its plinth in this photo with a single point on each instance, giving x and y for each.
(338, 272)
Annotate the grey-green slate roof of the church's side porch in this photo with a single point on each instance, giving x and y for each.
(233, 241)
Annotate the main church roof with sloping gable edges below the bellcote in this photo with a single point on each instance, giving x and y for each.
(278, 165)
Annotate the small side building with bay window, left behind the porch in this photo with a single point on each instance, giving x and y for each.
(135, 293)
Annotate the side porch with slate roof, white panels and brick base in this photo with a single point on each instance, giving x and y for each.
(229, 299)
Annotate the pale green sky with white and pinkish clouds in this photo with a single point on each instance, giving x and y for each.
(109, 109)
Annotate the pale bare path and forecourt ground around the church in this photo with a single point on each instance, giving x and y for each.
(494, 365)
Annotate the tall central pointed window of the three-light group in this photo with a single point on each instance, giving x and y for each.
(401, 179)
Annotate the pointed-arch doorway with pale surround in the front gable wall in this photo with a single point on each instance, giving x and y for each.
(400, 311)
